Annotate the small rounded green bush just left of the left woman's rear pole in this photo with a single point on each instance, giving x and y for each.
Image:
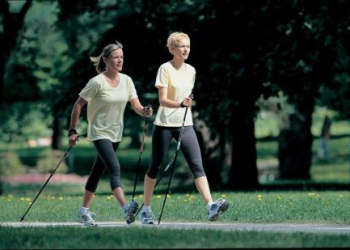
(49, 159)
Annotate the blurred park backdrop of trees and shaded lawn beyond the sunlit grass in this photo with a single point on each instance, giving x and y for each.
(271, 106)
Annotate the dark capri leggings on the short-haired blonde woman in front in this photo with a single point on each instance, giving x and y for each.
(161, 139)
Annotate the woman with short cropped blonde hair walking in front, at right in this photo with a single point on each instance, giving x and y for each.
(175, 81)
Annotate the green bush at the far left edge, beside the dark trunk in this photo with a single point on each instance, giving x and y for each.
(10, 164)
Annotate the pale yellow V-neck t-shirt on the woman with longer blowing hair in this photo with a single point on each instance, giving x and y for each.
(106, 106)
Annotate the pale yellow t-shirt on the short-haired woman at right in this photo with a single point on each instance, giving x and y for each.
(180, 85)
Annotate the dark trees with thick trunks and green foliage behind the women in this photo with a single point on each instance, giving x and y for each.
(243, 53)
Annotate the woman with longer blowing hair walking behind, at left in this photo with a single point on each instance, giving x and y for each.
(106, 96)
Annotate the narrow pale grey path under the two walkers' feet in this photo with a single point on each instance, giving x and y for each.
(274, 227)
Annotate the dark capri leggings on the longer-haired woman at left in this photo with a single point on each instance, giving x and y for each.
(106, 159)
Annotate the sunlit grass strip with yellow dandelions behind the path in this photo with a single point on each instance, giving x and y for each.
(292, 207)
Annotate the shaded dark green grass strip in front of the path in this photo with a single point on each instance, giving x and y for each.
(153, 238)
